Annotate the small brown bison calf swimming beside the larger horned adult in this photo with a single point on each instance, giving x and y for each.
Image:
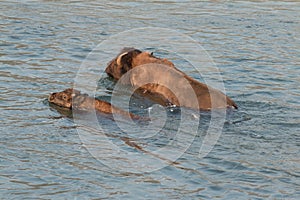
(71, 98)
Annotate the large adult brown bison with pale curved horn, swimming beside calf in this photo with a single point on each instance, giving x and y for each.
(159, 80)
